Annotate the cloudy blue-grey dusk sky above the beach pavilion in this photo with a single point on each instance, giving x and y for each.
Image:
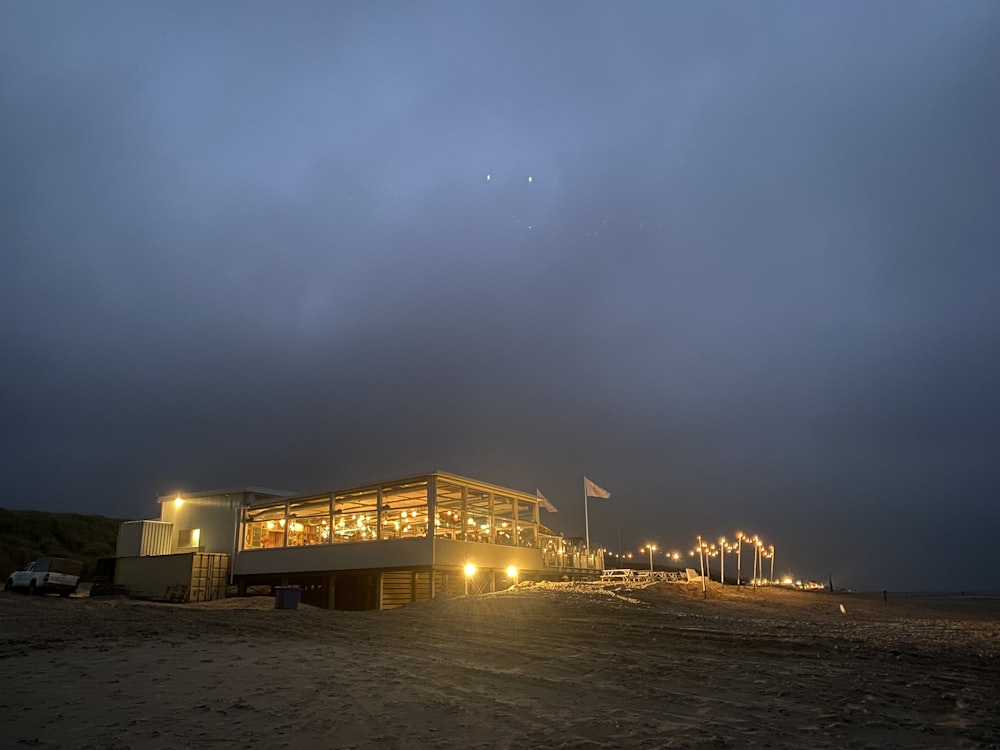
(737, 263)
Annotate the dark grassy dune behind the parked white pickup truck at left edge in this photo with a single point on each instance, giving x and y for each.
(27, 534)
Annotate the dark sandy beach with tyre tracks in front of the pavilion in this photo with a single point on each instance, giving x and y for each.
(562, 666)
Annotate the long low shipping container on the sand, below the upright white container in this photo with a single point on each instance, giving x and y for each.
(186, 577)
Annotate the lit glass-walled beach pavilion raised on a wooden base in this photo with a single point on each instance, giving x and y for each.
(380, 545)
